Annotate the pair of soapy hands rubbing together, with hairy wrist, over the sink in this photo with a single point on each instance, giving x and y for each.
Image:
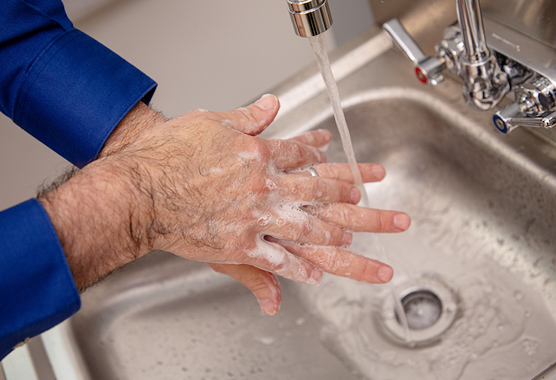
(201, 186)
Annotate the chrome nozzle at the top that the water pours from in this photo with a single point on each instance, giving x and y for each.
(310, 17)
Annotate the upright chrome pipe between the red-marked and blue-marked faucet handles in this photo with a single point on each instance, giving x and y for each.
(485, 83)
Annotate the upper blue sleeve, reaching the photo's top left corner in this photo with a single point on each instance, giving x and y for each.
(60, 85)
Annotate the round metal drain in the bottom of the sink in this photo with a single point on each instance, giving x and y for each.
(429, 307)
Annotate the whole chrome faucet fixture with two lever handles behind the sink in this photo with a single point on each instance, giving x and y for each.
(489, 71)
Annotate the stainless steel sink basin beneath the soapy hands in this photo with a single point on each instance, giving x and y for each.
(476, 271)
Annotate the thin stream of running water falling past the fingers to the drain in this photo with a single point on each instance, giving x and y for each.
(333, 93)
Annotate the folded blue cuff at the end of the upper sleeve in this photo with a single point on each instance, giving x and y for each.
(75, 93)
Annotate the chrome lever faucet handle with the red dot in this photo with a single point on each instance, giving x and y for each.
(427, 69)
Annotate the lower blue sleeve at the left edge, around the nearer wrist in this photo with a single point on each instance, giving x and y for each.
(37, 290)
